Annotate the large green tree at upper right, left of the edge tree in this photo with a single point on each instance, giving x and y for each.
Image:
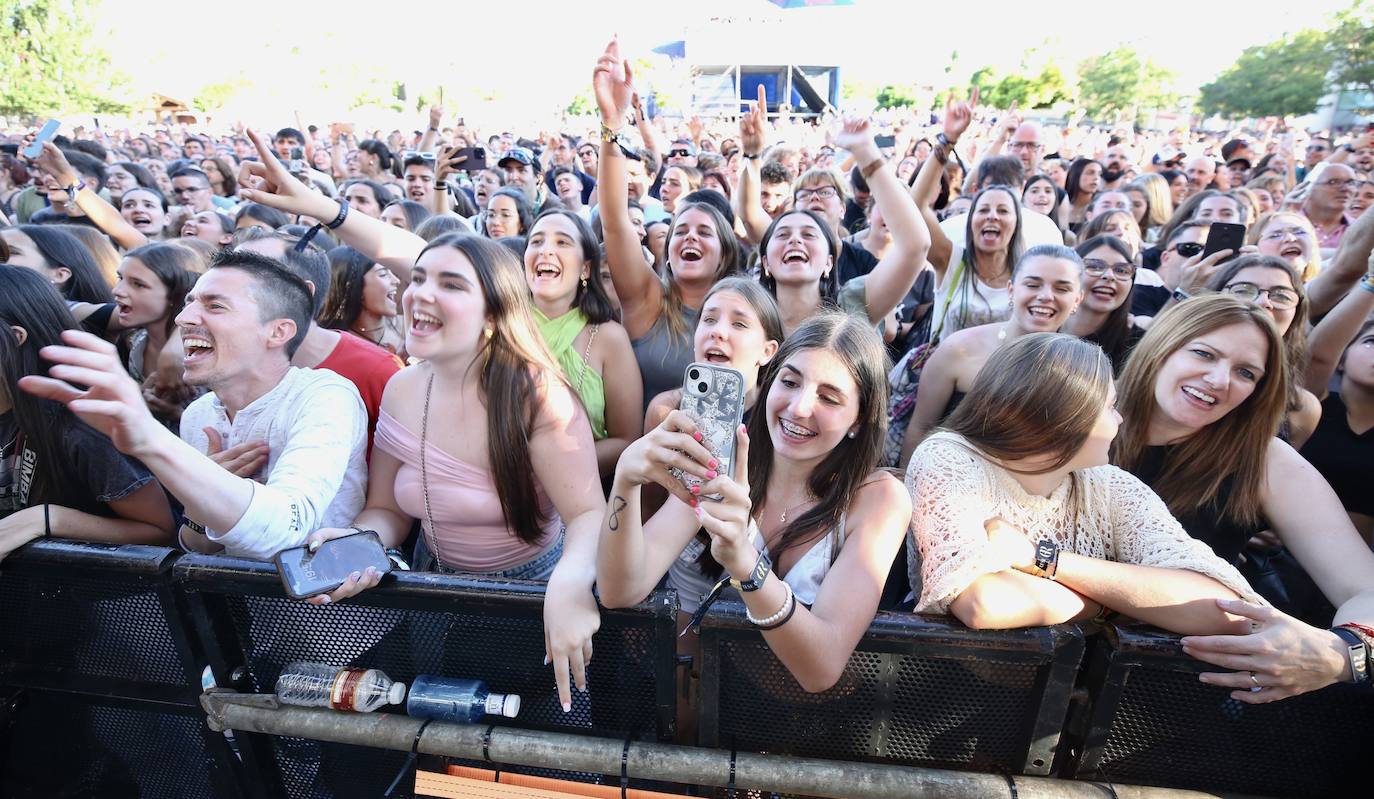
(1273, 80)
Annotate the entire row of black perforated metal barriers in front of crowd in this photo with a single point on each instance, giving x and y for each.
(102, 651)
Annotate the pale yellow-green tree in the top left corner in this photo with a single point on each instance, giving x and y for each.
(50, 62)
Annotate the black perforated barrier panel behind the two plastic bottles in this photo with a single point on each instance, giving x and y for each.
(427, 624)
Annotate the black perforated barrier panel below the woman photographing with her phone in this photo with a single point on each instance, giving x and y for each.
(919, 691)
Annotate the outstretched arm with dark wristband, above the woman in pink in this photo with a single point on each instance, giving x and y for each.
(275, 187)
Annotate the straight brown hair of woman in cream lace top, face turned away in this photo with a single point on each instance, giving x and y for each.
(1039, 396)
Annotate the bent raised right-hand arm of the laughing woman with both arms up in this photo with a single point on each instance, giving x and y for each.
(898, 270)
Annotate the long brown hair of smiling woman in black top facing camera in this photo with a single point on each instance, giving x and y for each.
(1232, 448)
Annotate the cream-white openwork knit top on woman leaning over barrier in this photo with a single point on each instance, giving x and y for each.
(954, 492)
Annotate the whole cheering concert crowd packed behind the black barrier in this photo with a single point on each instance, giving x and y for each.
(991, 369)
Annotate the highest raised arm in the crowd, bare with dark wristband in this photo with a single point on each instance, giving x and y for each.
(637, 285)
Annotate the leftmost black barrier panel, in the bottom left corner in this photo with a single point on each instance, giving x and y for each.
(101, 679)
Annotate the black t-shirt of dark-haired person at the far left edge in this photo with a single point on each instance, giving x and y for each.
(94, 473)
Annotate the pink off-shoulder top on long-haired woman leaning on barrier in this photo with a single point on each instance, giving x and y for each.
(471, 529)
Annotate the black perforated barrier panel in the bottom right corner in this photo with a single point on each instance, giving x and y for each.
(1152, 723)
